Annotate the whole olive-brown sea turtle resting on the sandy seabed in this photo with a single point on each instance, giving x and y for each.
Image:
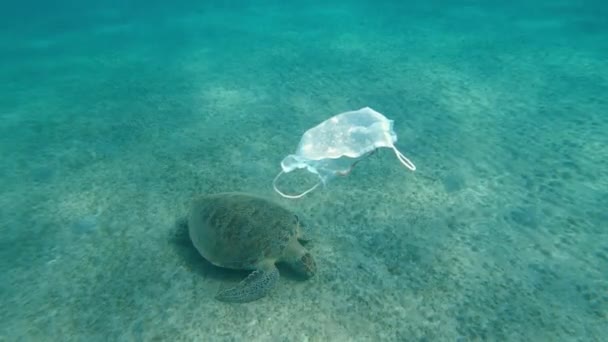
(242, 231)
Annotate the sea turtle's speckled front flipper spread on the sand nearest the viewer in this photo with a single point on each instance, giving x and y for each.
(255, 286)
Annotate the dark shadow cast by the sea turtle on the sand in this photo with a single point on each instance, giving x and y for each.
(182, 245)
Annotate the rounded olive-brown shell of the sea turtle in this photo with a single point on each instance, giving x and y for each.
(238, 230)
